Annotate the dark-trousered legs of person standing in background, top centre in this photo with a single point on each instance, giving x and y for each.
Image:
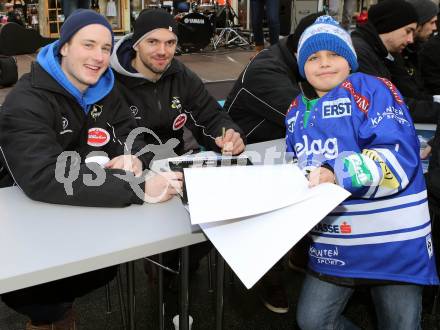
(272, 9)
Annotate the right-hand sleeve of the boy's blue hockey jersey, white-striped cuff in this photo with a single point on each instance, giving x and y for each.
(389, 149)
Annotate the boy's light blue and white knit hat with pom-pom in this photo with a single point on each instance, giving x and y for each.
(325, 34)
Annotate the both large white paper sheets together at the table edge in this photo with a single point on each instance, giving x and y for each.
(255, 214)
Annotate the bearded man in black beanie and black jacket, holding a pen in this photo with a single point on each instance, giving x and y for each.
(164, 95)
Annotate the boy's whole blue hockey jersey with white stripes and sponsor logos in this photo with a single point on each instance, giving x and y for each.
(363, 130)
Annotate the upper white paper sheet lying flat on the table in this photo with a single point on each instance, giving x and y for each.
(231, 192)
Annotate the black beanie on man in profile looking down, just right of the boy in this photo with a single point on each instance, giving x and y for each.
(391, 15)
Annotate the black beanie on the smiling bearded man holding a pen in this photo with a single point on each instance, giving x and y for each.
(151, 19)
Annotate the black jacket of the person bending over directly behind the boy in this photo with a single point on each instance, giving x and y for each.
(262, 94)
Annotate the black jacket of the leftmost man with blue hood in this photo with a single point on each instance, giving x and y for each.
(40, 120)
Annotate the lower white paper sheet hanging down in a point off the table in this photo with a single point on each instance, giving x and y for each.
(252, 245)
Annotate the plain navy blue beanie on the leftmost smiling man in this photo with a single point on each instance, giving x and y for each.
(79, 19)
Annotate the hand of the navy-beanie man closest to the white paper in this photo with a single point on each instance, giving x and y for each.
(162, 186)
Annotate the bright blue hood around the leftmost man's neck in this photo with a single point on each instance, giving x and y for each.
(51, 64)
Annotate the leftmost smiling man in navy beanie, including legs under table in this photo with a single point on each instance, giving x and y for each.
(67, 105)
